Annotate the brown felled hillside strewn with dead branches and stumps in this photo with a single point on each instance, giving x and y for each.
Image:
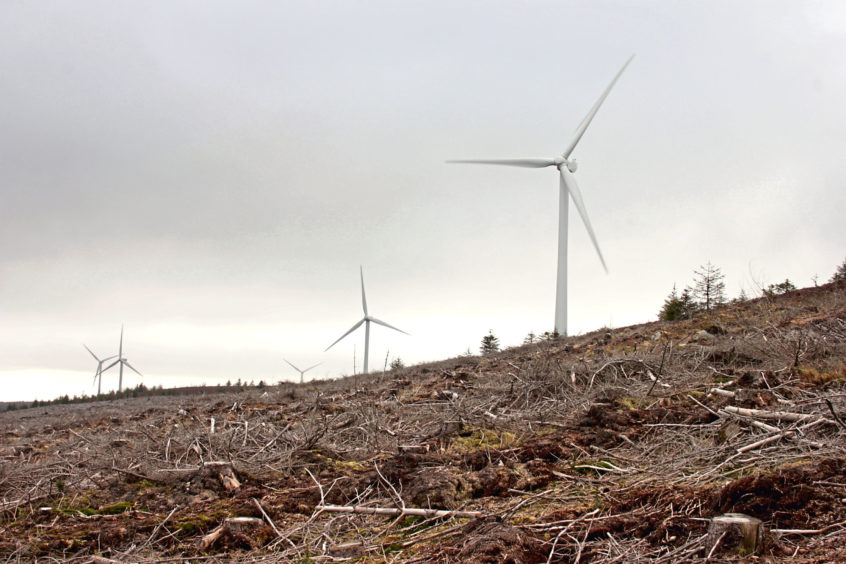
(616, 446)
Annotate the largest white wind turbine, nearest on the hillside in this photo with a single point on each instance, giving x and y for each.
(567, 188)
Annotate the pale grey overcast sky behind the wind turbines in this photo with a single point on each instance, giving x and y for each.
(212, 174)
